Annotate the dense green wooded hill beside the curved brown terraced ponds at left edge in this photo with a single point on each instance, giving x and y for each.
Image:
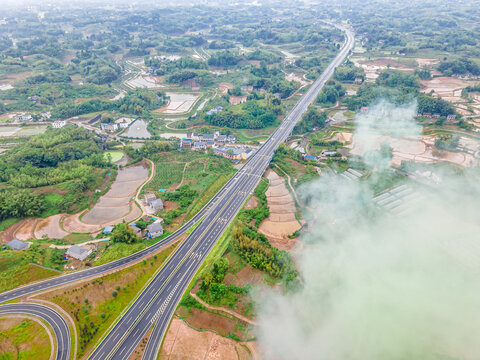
(68, 160)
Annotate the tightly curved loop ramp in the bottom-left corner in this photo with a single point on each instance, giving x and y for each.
(54, 319)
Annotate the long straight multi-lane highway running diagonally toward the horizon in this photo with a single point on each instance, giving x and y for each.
(156, 304)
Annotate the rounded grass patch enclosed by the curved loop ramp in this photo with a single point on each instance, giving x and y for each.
(23, 339)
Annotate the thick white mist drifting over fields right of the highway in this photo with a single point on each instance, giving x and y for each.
(377, 286)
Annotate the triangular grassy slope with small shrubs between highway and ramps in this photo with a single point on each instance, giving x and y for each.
(94, 305)
